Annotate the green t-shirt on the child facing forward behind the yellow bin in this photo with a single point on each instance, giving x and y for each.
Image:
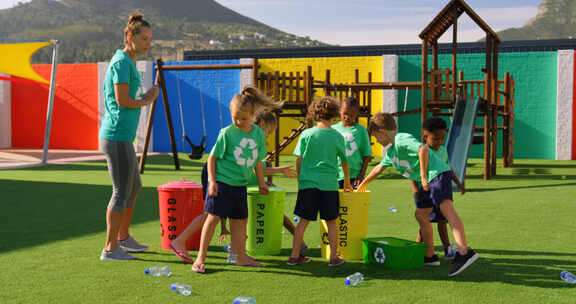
(357, 147)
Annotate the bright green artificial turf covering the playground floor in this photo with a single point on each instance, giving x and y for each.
(52, 230)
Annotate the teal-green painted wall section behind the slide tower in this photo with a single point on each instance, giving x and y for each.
(536, 84)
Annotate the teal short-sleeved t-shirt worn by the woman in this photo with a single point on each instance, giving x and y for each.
(120, 124)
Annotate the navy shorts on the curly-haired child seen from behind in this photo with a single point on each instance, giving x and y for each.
(311, 201)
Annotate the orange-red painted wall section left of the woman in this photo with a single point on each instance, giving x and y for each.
(75, 115)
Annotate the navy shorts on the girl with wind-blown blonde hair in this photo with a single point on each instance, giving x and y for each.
(231, 202)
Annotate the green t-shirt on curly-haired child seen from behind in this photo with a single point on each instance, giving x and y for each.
(320, 149)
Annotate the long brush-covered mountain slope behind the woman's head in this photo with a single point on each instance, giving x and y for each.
(90, 30)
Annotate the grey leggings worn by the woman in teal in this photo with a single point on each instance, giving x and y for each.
(123, 169)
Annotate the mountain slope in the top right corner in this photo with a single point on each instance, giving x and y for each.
(556, 19)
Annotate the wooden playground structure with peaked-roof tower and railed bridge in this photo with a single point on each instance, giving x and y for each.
(441, 88)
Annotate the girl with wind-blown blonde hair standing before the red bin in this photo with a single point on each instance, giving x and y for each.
(239, 149)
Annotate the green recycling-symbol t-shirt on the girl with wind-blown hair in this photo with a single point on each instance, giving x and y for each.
(237, 152)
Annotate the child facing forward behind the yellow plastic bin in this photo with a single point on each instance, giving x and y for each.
(358, 149)
